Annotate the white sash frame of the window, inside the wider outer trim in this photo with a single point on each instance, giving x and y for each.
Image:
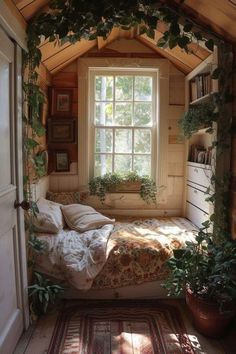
(154, 74)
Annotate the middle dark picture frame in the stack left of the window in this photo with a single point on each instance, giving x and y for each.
(61, 131)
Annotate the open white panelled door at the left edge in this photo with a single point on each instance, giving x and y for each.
(11, 308)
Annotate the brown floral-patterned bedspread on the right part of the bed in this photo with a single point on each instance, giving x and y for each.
(138, 251)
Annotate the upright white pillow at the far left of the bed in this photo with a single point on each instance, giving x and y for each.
(50, 218)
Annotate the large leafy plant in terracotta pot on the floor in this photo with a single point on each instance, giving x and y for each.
(206, 271)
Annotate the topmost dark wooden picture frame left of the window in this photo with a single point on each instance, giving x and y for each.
(61, 102)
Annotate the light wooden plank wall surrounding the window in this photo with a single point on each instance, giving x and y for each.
(176, 149)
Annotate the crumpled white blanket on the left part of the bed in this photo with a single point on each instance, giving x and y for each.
(75, 257)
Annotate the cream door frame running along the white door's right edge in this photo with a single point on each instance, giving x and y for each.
(18, 142)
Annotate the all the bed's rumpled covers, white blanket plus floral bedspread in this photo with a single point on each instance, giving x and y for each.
(128, 253)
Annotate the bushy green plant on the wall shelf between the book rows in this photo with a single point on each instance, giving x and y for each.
(198, 116)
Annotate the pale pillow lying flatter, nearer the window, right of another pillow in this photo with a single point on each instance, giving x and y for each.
(83, 218)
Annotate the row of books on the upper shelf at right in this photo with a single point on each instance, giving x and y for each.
(200, 86)
